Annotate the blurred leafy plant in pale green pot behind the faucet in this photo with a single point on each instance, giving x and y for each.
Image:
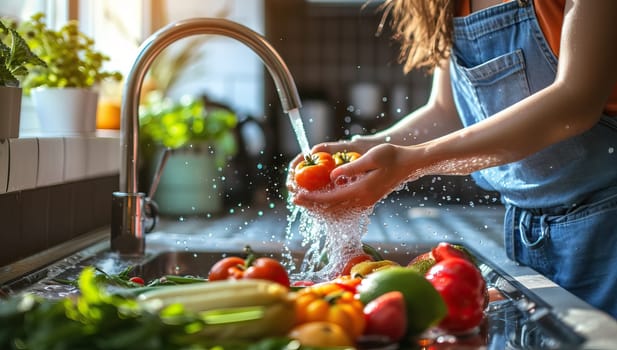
(198, 138)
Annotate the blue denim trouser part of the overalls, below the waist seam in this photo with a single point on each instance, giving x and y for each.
(574, 247)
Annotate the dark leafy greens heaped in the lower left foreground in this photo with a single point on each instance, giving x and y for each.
(96, 319)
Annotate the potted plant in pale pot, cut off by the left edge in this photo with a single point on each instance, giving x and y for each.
(15, 58)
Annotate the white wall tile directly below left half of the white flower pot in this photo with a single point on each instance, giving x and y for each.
(51, 161)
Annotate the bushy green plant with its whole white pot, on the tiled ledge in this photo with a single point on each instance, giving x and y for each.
(73, 70)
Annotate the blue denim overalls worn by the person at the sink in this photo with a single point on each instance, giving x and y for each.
(561, 202)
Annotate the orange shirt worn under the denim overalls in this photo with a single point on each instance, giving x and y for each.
(550, 18)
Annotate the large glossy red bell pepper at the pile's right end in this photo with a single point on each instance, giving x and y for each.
(463, 289)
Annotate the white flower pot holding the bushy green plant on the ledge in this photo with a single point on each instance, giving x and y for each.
(65, 110)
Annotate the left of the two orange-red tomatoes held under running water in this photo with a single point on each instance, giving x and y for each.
(313, 173)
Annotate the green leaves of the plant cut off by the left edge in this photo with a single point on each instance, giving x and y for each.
(15, 55)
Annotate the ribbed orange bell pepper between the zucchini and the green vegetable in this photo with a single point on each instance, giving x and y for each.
(331, 302)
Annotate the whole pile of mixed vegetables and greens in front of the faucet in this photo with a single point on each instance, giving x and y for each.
(239, 308)
